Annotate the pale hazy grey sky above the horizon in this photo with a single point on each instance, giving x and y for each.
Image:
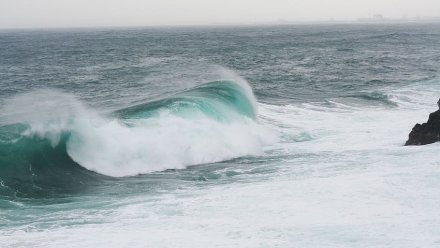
(80, 13)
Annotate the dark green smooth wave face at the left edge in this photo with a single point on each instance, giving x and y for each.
(32, 167)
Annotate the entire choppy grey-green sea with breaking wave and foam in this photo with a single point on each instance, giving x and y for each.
(274, 136)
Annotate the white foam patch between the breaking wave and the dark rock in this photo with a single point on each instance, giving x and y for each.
(350, 128)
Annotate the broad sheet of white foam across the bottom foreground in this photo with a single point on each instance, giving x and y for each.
(392, 205)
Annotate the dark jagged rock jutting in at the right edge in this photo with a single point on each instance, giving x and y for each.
(426, 133)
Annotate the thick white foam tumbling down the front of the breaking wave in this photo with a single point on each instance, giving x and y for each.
(165, 142)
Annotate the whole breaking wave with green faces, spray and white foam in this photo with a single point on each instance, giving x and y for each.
(54, 152)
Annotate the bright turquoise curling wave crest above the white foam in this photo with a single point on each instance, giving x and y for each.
(223, 101)
